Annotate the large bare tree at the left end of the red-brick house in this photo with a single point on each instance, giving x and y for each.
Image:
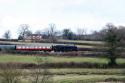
(24, 31)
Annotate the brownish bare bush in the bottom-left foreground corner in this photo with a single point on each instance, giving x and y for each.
(10, 73)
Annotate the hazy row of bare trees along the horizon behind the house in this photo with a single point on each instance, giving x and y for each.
(53, 34)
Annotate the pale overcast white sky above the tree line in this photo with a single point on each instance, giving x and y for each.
(88, 14)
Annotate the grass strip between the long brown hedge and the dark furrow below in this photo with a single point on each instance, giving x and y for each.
(81, 71)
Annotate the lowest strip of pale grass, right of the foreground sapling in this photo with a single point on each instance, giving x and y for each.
(85, 78)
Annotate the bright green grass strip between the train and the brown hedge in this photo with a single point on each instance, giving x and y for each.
(55, 59)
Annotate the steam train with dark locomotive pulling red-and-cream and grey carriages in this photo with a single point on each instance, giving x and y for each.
(55, 48)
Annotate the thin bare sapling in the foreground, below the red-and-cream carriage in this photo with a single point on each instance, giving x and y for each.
(42, 74)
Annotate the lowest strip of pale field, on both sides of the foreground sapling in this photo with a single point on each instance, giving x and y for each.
(82, 78)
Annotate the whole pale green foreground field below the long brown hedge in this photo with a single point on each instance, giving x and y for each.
(80, 75)
